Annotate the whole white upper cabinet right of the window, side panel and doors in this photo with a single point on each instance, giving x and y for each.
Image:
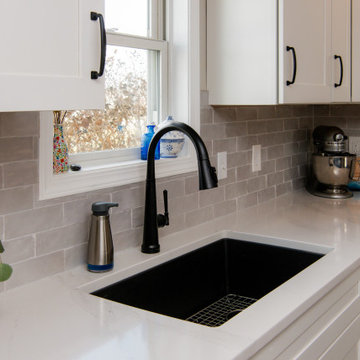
(268, 51)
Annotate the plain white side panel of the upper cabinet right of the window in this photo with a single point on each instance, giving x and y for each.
(242, 51)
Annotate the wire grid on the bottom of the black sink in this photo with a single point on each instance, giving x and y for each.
(222, 310)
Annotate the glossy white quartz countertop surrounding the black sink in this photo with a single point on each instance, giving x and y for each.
(56, 318)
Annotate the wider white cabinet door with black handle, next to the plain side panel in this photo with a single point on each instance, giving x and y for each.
(304, 44)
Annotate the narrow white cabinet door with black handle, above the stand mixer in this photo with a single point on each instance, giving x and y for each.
(341, 49)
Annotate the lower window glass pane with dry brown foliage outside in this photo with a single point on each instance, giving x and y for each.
(129, 75)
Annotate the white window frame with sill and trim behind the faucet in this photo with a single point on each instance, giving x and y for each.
(183, 102)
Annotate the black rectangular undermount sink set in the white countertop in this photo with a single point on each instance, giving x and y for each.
(213, 283)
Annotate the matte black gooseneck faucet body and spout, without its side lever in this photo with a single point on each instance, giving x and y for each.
(207, 180)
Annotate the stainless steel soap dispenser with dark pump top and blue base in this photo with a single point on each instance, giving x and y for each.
(100, 249)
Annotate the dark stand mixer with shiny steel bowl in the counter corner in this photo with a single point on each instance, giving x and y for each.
(331, 166)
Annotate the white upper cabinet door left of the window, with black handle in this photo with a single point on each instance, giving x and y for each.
(48, 50)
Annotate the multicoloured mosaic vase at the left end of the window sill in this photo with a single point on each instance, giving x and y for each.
(60, 149)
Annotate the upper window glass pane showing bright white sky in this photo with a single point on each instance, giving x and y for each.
(127, 16)
